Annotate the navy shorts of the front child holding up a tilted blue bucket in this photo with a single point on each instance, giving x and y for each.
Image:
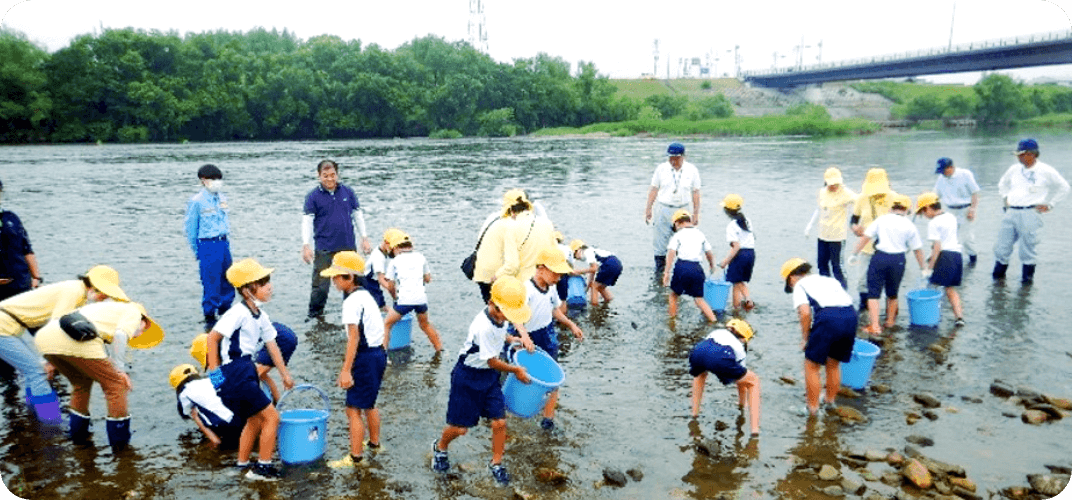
(474, 393)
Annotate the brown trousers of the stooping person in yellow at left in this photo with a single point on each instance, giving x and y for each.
(83, 373)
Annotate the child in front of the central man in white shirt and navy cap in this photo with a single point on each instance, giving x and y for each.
(687, 247)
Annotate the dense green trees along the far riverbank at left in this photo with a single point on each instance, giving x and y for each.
(128, 85)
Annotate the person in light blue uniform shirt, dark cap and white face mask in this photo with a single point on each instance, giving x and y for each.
(207, 230)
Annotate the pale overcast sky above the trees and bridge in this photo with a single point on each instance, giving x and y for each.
(618, 37)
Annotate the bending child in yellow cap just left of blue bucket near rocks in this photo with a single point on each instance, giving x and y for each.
(828, 328)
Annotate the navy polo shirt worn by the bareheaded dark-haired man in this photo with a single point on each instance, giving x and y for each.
(333, 218)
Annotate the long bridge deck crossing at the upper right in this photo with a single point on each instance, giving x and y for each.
(1021, 52)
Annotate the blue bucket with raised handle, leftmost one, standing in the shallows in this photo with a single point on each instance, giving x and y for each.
(303, 433)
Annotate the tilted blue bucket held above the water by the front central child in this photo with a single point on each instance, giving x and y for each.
(546, 376)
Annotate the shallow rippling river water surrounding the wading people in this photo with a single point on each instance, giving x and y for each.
(626, 404)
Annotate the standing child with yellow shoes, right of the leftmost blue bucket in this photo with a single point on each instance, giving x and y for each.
(365, 359)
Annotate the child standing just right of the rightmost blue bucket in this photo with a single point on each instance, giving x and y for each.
(946, 264)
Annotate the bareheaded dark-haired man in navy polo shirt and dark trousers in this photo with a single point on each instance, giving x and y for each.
(331, 214)
